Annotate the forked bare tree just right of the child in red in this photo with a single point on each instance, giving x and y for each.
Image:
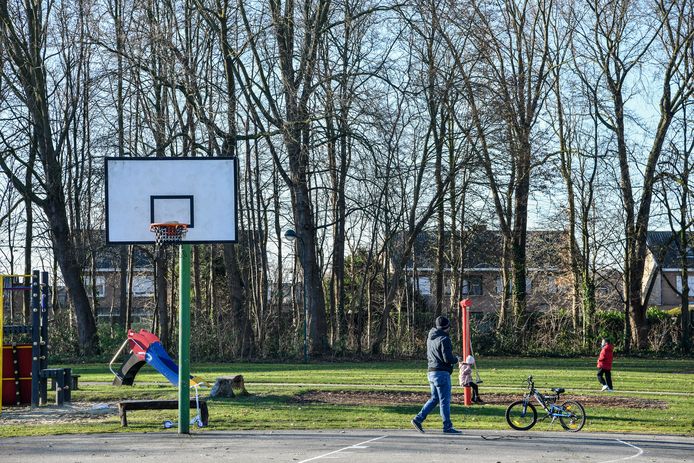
(618, 40)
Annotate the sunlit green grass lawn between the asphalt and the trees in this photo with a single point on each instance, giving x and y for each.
(652, 396)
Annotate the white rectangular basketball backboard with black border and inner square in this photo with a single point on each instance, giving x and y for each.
(200, 192)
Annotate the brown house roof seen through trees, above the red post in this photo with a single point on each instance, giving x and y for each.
(545, 249)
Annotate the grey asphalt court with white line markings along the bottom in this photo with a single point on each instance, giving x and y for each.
(353, 446)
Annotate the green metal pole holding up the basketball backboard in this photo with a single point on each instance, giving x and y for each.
(184, 341)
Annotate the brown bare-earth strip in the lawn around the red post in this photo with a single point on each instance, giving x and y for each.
(418, 398)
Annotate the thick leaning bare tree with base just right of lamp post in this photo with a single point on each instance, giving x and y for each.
(297, 44)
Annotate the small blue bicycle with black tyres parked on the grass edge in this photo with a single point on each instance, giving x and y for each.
(522, 414)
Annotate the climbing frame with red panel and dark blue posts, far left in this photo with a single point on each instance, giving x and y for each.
(24, 368)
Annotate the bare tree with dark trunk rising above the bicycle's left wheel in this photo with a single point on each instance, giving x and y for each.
(511, 67)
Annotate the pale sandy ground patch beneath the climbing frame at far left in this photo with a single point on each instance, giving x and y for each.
(51, 414)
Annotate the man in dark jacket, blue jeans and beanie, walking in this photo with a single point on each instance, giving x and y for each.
(441, 361)
